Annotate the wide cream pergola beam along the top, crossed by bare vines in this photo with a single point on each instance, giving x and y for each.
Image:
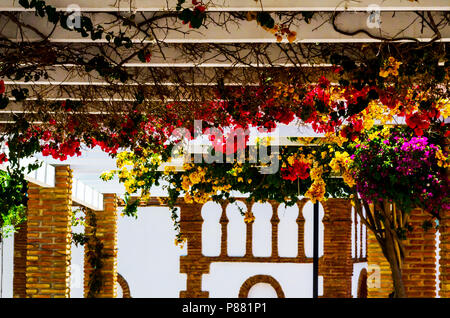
(401, 25)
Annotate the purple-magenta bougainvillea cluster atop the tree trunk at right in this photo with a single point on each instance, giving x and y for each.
(403, 169)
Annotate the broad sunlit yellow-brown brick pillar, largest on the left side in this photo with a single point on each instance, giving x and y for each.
(49, 237)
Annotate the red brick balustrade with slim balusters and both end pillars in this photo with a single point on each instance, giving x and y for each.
(335, 266)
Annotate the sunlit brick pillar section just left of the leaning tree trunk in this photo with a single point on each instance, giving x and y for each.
(379, 278)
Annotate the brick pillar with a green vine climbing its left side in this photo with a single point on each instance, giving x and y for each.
(106, 235)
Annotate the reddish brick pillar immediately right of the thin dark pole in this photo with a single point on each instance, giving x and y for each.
(336, 266)
